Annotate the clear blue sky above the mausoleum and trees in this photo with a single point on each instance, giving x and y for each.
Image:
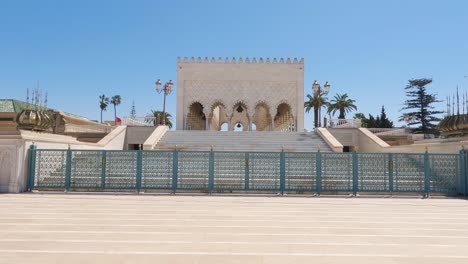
(368, 49)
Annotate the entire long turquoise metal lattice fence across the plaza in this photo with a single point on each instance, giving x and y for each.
(215, 171)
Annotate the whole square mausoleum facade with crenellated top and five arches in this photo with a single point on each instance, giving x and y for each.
(246, 94)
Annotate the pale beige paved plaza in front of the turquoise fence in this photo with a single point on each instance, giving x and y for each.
(108, 228)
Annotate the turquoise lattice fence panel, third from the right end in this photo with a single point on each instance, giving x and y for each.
(373, 172)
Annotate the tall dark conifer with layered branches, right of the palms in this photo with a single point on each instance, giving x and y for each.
(420, 104)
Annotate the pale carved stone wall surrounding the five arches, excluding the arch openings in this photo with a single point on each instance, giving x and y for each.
(249, 81)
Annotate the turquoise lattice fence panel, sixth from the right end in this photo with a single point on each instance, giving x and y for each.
(264, 171)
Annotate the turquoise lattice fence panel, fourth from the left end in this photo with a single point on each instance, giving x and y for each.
(157, 170)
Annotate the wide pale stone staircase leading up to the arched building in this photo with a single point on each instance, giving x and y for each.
(265, 141)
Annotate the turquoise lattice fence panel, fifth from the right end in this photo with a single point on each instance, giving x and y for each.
(301, 172)
